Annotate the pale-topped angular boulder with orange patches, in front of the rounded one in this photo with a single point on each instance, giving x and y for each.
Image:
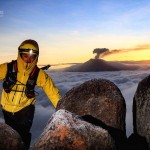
(67, 131)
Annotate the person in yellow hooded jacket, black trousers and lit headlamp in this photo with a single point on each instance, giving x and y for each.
(18, 95)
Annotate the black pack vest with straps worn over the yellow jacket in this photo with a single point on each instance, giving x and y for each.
(11, 79)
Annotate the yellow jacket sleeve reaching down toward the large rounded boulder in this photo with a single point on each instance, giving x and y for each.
(46, 83)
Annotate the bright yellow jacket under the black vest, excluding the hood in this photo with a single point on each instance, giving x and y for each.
(15, 101)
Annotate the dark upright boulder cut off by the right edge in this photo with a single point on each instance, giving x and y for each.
(141, 109)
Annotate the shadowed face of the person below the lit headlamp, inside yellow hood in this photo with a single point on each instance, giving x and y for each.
(28, 58)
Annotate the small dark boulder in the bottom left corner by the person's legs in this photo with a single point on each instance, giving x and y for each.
(9, 138)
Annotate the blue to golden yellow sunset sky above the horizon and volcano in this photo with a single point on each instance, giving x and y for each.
(68, 30)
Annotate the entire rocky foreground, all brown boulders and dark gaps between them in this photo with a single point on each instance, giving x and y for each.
(91, 117)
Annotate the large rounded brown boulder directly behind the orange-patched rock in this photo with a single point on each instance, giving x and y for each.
(99, 98)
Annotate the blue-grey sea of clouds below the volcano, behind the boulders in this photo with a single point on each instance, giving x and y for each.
(127, 82)
